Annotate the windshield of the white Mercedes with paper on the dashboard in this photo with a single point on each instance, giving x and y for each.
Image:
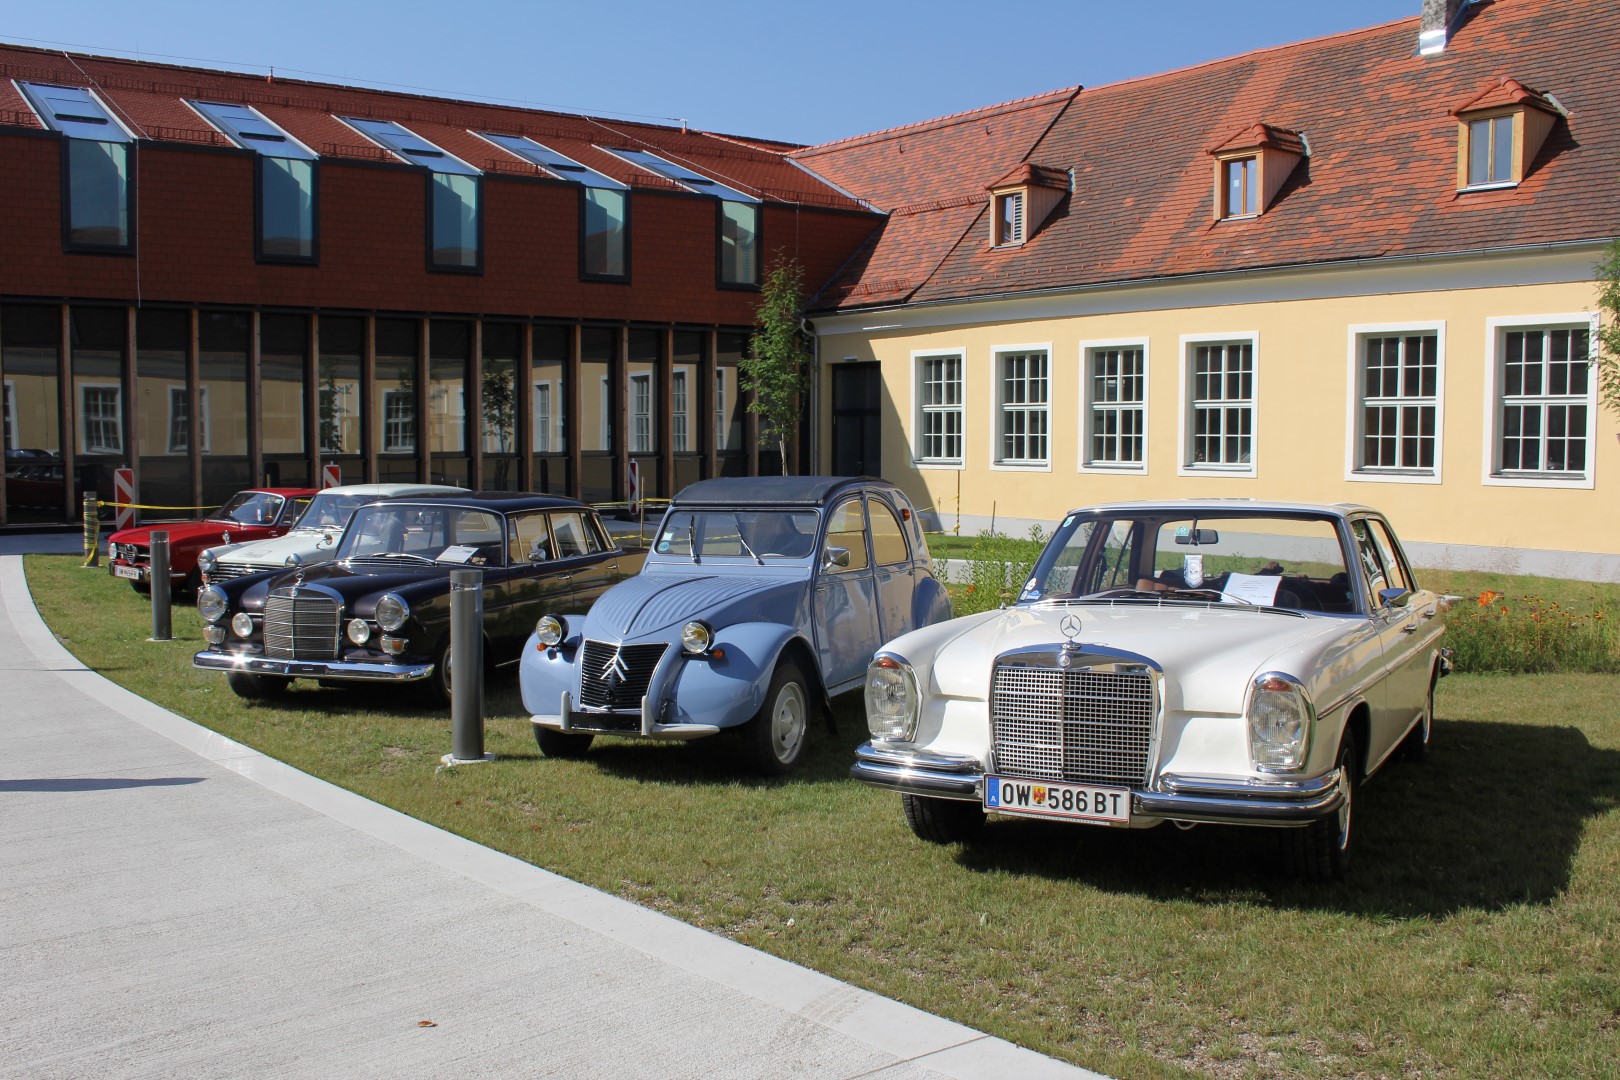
(1271, 561)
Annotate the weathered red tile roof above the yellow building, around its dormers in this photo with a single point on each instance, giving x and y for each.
(1381, 179)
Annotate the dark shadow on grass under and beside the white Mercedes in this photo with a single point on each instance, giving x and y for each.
(1491, 820)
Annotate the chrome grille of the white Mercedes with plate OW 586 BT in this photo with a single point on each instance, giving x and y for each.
(1080, 725)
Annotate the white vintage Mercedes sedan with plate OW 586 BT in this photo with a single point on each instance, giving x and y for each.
(1219, 661)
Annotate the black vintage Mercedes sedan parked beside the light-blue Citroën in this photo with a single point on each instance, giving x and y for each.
(382, 610)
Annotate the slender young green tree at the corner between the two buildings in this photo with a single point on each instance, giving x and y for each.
(777, 370)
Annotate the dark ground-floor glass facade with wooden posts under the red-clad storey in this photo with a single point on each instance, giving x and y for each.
(200, 399)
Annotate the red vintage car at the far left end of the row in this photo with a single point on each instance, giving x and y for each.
(252, 514)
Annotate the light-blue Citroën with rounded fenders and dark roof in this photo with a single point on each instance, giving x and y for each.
(762, 600)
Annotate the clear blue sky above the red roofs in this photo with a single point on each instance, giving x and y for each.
(774, 70)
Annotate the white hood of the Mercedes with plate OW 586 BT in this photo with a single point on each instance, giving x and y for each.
(1208, 653)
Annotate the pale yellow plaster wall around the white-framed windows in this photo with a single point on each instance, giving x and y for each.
(1302, 419)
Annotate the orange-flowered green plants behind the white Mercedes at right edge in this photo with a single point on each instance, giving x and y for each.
(1530, 636)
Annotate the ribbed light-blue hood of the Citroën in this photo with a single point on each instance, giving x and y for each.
(652, 603)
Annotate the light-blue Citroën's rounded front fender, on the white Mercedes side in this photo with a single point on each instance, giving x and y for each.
(730, 689)
